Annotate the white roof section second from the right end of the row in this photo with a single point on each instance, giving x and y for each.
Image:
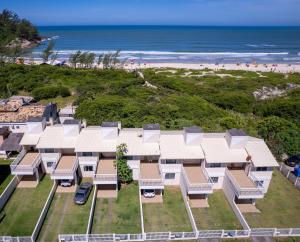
(216, 150)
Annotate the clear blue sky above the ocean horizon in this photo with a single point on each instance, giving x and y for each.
(158, 12)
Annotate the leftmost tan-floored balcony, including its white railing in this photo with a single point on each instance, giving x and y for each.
(25, 163)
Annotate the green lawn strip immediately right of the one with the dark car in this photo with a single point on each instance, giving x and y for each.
(121, 215)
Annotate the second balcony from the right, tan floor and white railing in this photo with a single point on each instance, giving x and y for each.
(197, 180)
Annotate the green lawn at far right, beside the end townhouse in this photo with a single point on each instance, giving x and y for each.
(279, 208)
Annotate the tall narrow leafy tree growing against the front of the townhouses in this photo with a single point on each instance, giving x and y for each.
(124, 172)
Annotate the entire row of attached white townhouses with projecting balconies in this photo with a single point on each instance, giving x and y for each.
(198, 162)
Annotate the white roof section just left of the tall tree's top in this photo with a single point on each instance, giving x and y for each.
(90, 140)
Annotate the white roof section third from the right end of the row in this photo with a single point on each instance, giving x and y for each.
(173, 146)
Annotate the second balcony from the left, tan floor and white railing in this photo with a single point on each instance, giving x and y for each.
(65, 168)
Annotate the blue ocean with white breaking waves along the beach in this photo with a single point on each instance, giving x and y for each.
(184, 44)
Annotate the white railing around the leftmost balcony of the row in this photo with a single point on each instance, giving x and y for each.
(15, 167)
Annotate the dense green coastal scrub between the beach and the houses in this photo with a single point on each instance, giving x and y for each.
(176, 98)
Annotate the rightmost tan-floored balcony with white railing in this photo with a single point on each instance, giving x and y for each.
(243, 186)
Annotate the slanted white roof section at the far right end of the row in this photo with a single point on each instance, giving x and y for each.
(260, 153)
